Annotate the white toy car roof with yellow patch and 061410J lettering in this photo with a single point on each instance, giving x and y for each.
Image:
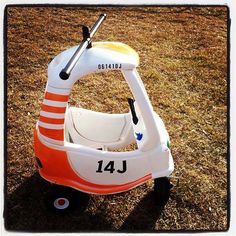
(101, 57)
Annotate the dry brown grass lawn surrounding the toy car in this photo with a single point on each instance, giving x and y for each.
(183, 54)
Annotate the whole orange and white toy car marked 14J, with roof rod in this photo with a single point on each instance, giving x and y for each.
(73, 146)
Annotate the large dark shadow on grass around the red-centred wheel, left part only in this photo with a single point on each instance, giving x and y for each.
(25, 211)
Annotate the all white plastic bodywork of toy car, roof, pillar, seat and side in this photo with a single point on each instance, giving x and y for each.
(91, 130)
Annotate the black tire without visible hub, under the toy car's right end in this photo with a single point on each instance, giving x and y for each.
(162, 188)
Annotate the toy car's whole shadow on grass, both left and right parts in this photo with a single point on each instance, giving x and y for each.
(25, 211)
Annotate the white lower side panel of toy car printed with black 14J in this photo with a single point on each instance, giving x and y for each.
(85, 162)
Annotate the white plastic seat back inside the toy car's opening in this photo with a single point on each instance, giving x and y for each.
(99, 130)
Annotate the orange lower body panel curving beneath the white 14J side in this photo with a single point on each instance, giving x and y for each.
(56, 169)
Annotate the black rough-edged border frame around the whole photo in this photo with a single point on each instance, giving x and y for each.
(5, 86)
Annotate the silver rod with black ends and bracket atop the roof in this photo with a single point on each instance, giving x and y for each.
(65, 73)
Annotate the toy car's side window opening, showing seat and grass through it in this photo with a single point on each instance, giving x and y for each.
(105, 92)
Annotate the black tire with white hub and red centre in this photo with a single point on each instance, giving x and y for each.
(62, 200)
